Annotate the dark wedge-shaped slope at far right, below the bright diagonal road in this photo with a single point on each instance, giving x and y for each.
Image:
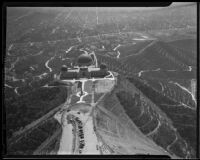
(183, 117)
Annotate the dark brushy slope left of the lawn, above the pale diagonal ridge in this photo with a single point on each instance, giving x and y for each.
(31, 107)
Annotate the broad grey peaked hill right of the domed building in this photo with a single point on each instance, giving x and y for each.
(158, 52)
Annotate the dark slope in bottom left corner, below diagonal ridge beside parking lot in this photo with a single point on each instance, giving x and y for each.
(35, 139)
